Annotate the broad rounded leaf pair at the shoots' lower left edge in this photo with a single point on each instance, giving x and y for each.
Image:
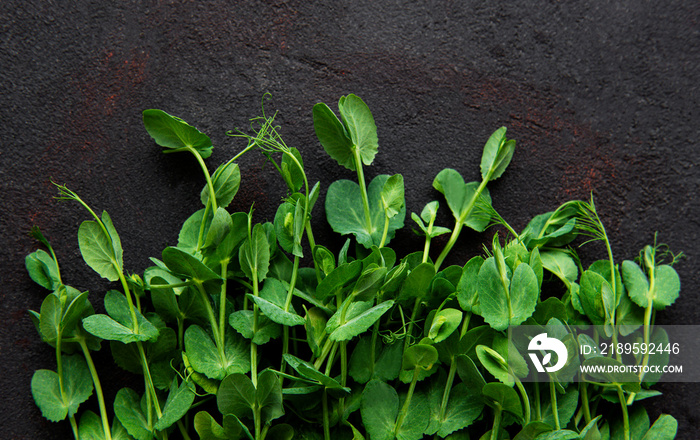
(77, 388)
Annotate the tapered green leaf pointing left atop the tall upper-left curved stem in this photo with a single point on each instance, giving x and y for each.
(173, 133)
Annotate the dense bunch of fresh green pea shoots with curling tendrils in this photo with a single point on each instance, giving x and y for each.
(236, 337)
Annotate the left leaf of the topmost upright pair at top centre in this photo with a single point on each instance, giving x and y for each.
(333, 136)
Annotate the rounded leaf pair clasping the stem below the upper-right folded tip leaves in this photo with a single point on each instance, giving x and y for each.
(462, 199)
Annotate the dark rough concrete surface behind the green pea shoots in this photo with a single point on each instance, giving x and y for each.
(601, 96)
